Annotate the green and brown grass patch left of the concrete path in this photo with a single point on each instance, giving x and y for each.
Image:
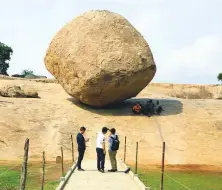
(10, 180)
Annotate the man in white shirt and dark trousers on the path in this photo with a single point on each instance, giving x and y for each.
(101, 149)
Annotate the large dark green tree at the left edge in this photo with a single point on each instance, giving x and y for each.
(5, 56)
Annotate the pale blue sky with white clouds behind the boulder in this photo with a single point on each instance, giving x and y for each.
(185, 36)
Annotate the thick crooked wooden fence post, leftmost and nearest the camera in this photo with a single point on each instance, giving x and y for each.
(24, 166)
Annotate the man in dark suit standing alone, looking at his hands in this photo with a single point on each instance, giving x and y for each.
(81, 141)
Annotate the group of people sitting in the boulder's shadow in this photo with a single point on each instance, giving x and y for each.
(149, 109)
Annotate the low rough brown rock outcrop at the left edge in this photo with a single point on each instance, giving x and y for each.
(18, 92)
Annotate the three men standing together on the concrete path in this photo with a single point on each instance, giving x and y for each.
(113, 142)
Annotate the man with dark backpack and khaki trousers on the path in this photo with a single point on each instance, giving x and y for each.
(113, 147)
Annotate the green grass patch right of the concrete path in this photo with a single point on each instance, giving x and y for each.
(193, 180)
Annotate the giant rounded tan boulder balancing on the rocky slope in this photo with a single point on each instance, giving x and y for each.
(100, 58)
